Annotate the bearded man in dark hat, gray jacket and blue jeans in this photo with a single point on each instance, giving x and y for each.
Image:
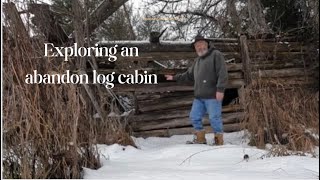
(210, 77)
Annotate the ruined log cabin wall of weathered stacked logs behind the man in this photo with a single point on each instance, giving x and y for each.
(163, 109)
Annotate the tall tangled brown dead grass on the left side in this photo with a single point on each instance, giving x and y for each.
(49, 130)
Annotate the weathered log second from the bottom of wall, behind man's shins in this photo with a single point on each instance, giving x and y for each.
(228, 118)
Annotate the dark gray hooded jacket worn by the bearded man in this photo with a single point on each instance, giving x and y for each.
(208, 73)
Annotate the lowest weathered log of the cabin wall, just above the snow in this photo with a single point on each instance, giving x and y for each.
(180, 131)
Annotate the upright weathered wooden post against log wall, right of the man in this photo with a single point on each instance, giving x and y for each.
(245, 59)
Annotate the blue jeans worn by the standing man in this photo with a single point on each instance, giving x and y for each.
(211, 106)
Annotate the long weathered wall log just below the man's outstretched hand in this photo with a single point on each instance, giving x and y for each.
(170, 86)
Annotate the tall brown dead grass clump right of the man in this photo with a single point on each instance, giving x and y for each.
(282, 115)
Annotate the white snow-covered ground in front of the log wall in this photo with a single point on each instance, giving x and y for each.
(170, 158)
